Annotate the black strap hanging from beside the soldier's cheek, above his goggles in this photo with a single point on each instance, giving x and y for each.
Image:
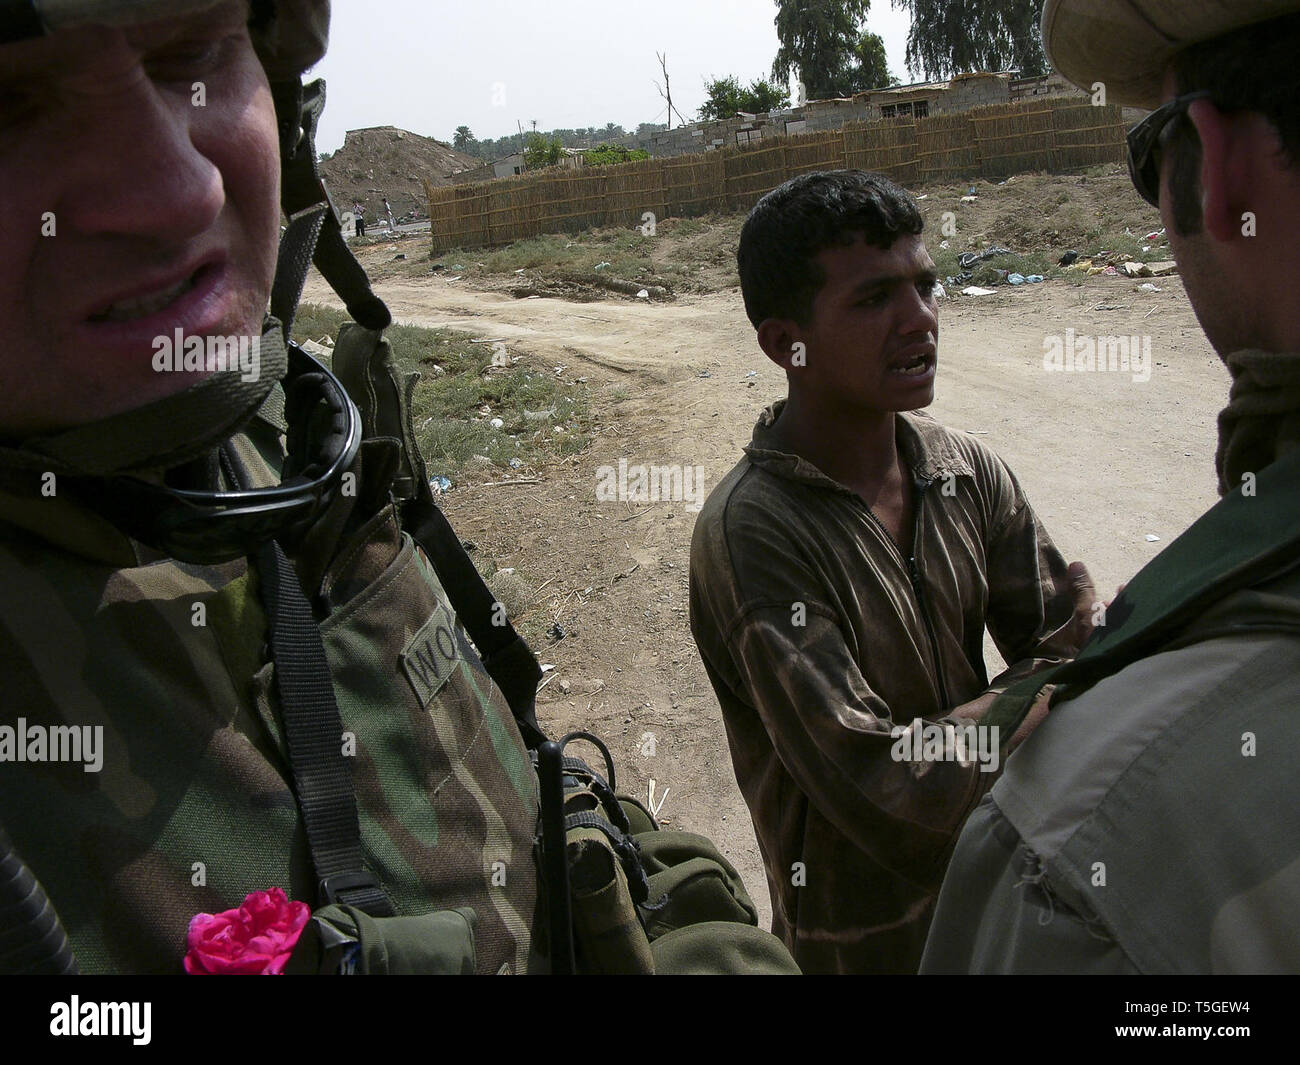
(302, 187)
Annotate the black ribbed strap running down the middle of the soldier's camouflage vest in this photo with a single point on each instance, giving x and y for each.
(314, 731)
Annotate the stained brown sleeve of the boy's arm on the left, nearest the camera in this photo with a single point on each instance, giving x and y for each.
(833, 734)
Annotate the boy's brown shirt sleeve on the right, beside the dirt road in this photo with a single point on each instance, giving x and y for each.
(1030, 599)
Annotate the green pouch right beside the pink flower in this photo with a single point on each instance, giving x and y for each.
(344, 941)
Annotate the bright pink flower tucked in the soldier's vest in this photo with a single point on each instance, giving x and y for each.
(255, 940)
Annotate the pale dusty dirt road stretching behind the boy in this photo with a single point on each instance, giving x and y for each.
(1106, 461)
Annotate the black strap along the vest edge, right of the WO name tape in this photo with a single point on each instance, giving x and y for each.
(508, 659)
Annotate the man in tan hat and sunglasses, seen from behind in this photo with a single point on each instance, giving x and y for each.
(1151, 825)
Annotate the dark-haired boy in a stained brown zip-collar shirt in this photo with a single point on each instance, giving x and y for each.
(844, 573)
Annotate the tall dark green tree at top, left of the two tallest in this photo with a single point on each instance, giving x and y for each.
(825, 41)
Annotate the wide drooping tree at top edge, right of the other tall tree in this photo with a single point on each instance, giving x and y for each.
(951, 37)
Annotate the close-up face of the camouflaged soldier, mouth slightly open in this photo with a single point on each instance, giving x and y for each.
(141, 176)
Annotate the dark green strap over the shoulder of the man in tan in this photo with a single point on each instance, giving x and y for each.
(1240, 543)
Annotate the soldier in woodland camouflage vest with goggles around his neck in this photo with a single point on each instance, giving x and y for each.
(229, 666)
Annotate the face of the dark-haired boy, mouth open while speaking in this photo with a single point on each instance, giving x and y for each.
(874, 334)
